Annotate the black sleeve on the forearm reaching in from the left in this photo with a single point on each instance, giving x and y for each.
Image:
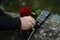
(9, 23)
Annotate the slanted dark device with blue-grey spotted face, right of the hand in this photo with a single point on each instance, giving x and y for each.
(41, 18)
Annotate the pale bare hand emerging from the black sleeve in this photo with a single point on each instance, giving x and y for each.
(27, 22)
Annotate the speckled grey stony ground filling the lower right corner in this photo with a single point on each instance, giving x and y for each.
(49, 31)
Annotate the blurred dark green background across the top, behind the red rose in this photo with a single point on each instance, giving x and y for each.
(15, 5)
